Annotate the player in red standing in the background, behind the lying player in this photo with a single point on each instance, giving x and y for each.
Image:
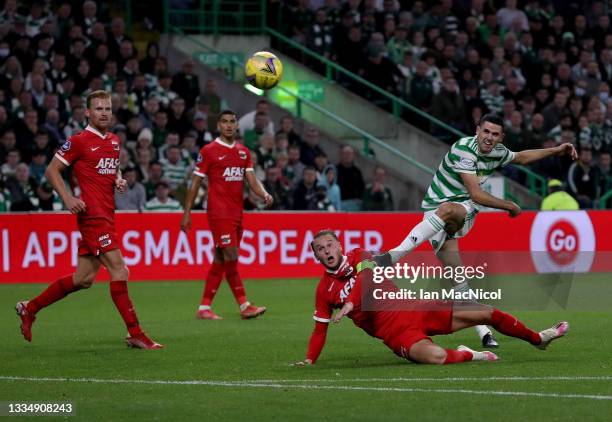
(226, 163)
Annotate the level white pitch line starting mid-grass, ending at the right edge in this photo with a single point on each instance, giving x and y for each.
(452, 379)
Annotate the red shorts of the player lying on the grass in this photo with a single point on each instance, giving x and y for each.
(419, 325)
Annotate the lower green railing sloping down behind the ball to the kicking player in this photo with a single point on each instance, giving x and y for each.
(236, 75)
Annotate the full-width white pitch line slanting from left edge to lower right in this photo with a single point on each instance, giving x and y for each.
(251, 384)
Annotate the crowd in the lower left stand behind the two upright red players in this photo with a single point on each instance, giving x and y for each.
(52, 54)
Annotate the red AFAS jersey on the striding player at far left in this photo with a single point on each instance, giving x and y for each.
(95, 160)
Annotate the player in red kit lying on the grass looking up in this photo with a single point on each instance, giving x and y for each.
(406, 333)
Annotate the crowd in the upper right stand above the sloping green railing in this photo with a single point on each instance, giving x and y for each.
(544, 65)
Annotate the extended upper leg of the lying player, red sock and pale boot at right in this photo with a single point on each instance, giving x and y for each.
(507, 324)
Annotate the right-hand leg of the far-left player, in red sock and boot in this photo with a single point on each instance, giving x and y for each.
(113, 261)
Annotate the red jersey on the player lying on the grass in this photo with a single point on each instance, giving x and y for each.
(335, 287)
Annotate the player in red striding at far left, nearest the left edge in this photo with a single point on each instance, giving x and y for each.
(94, 157)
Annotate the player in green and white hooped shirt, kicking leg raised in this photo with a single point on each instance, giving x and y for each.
(455, 195)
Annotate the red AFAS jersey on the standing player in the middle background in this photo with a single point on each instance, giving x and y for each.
(225, 166)
